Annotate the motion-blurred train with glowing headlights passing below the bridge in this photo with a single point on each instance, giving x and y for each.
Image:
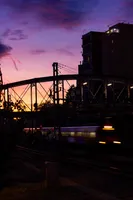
(103, 134)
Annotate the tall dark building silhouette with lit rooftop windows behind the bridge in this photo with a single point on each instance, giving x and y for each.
(108, 53)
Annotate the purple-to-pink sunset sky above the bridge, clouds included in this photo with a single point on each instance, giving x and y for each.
(36, 33)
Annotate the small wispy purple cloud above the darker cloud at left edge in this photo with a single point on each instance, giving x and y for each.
(14, 34)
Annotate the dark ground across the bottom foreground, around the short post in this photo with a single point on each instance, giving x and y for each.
(24, 178)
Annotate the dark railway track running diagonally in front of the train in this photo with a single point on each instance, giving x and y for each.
(79, 162)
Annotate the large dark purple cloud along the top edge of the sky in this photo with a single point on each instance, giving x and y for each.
(54, 13)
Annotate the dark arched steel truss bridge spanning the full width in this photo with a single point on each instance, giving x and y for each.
(112, 90)
